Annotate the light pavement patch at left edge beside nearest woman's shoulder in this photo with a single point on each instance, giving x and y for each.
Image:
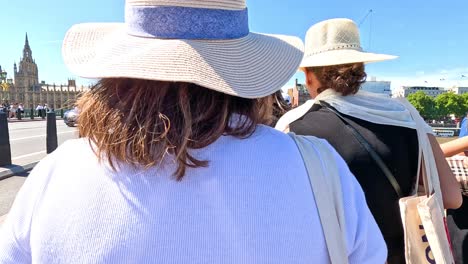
(8, 190)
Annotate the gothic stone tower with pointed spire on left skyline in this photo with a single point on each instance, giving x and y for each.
(26, 77)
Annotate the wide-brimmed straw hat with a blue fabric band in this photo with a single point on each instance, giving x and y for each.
(206, 42)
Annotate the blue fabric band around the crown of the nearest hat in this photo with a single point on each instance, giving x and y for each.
(170, 22)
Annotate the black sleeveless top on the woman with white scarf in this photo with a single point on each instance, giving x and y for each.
(397, 146)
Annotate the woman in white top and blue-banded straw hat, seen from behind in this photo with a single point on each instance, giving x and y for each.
(174, 164)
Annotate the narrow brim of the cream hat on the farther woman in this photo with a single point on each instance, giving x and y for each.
(339, 57)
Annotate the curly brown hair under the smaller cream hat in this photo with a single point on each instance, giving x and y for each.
(345, 79)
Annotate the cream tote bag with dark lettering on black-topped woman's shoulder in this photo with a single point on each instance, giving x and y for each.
(423, 217)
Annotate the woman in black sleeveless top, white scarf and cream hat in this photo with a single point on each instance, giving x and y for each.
(363, 125)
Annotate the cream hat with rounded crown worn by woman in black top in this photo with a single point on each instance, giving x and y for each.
(335, 42)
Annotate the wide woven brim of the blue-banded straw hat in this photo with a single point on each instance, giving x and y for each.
(251, 67)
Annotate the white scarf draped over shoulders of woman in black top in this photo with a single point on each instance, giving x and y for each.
(371, 107)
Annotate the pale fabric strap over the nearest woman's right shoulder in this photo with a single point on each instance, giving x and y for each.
(325, 183)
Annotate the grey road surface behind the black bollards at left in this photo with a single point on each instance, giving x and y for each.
(28, 139)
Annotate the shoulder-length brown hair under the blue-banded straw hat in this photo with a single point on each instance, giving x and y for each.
(138, 122)
